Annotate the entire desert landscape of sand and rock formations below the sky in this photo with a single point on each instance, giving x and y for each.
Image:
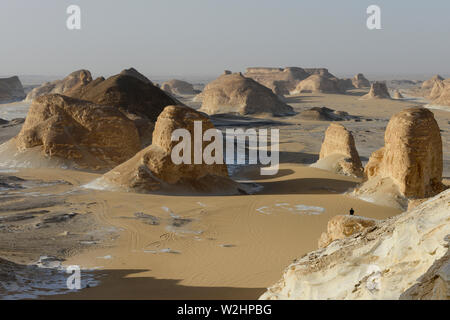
(86, 179)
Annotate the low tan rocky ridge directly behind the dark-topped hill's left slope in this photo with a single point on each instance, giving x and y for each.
(73, 81)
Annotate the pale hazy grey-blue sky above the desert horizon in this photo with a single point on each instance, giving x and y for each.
(204, 37)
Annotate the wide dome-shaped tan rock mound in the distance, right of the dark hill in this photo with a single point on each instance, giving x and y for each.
(234, 93)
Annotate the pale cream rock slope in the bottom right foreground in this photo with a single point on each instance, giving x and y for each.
(381, 262)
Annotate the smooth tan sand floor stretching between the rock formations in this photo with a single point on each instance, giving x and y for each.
(226, 246)
